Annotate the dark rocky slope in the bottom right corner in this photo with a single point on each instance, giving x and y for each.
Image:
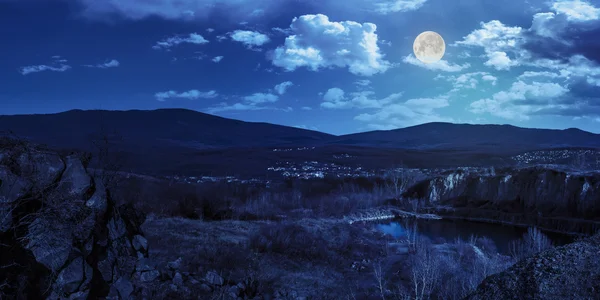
(567, 272)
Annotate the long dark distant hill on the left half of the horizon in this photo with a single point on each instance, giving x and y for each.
(163, 128)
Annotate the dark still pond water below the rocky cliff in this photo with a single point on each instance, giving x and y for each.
(449, 230)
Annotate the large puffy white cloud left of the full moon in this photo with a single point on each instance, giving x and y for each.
(318, 43)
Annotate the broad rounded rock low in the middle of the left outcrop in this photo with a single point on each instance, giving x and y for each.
(50, 242)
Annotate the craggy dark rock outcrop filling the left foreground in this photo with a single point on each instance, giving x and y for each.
(61, 235)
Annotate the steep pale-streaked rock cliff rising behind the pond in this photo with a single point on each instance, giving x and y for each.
(529, 195)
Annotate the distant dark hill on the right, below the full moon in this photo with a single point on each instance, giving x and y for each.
(496, 138)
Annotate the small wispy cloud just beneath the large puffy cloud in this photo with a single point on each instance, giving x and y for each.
(335, 98)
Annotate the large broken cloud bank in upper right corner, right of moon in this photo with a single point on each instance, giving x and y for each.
(550, 33)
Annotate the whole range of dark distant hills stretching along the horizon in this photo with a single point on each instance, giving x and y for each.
(186, 141)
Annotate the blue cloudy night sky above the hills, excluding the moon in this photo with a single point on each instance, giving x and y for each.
(330, 65)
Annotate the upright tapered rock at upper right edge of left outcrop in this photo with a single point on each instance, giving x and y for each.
(75, 180)
